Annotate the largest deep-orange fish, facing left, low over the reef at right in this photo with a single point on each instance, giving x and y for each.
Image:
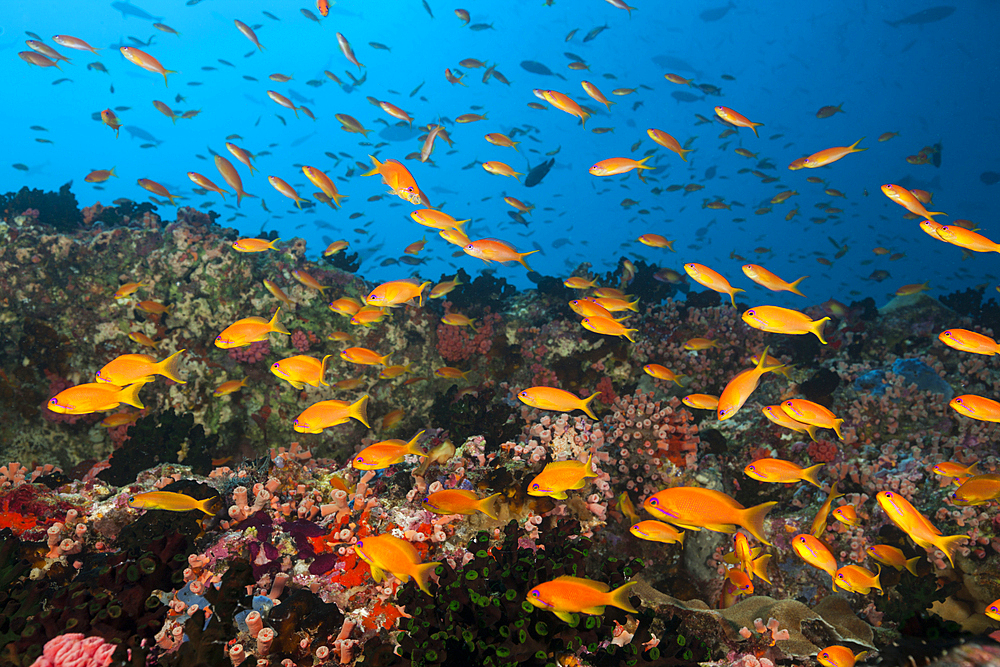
(695, 508)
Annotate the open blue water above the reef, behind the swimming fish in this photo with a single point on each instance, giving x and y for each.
(934, 83)
